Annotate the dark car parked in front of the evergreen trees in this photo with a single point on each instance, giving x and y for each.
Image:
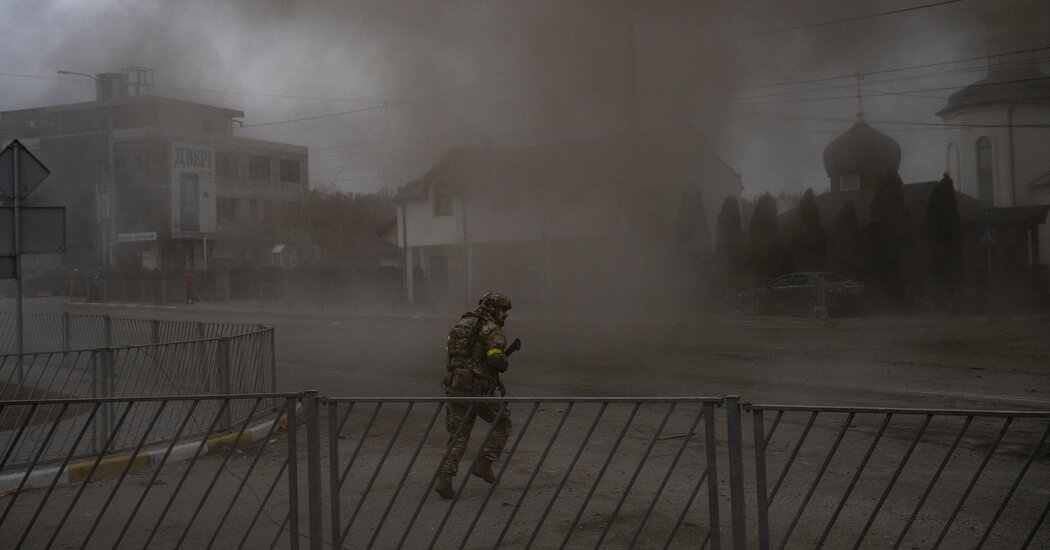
(805, 292)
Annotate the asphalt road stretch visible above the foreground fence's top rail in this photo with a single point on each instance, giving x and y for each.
(999, 363)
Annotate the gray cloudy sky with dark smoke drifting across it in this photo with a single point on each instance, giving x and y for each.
(379, 90)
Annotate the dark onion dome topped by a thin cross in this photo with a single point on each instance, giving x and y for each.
(864, 152)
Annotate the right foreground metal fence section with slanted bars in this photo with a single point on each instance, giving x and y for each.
(886, 478)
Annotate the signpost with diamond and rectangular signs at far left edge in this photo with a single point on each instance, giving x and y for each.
(33, 230)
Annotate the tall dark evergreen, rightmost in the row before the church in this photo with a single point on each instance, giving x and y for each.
(944, 242)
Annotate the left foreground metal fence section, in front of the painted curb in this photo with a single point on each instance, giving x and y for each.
(220, 489)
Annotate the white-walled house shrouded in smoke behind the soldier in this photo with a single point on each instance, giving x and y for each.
(563, 226)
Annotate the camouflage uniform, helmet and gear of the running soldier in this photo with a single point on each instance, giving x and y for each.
(474, 362)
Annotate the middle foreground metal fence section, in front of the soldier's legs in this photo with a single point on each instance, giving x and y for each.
(579, 473)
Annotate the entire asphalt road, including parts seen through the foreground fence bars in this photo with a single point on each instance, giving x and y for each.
(957, 363)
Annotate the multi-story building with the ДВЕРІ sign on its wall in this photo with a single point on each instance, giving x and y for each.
(153, 183)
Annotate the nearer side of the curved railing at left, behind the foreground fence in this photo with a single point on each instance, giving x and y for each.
(238, 365)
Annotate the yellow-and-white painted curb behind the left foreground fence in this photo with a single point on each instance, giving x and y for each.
(141, 463)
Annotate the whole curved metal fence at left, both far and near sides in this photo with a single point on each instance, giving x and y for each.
(198, 359)
